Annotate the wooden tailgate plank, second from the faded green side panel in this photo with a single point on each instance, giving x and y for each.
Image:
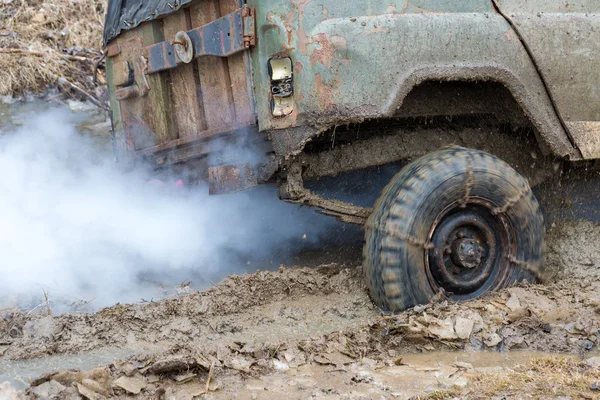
(214, 76)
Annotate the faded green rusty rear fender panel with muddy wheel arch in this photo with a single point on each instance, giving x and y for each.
(356, 60)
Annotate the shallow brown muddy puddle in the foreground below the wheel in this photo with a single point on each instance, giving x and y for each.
(409, 375)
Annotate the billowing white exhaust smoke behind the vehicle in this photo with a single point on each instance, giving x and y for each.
(73, 225)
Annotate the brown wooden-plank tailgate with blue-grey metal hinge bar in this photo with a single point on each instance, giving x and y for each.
(184, 77)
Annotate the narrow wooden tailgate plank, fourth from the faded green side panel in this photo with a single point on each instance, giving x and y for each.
(159, 88)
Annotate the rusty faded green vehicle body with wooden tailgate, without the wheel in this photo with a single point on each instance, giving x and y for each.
(318, 88)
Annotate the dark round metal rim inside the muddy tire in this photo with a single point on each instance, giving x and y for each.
(470, 245)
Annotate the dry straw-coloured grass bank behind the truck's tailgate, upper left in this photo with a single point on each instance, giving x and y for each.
(45, 32)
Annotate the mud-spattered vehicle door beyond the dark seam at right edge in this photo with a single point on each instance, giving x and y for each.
(564, 40)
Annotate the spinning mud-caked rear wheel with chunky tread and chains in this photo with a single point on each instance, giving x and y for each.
(458, 222)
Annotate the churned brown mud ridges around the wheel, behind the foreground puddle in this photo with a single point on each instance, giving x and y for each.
(249, 325)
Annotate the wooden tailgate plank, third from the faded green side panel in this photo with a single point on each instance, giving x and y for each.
(187, 115)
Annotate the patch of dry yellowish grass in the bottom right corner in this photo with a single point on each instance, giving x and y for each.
(543, 378)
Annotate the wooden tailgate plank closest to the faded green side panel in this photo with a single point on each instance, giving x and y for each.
(238, 74)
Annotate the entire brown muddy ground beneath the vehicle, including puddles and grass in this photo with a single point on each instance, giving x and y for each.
(313, 333)
